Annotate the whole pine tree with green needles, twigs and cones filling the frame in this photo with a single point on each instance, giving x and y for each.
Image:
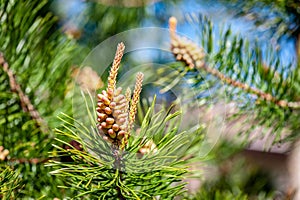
(47, 152)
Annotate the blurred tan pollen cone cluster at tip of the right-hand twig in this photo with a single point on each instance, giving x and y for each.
(184, 49)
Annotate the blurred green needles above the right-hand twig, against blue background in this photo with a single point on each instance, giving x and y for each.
(236, 58)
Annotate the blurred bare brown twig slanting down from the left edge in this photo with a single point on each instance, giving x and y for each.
(25, 101)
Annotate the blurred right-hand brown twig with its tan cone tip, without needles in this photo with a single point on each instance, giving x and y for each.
(193, 56)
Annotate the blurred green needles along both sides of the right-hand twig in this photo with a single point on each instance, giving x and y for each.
(243, 63)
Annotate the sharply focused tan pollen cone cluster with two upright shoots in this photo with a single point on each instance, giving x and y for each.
(113, 108)
